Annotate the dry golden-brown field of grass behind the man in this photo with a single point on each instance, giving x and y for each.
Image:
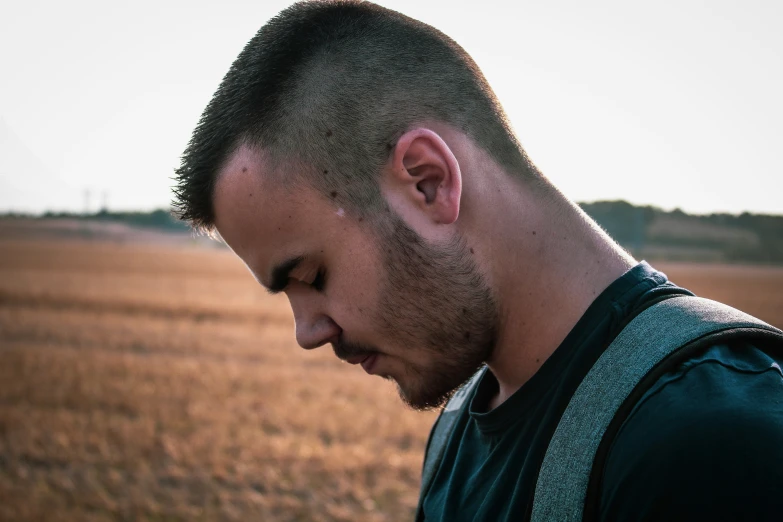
(161, 383)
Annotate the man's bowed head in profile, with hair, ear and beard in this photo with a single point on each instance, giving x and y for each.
(317, 163)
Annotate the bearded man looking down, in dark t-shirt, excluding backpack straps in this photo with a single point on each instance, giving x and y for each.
(358, 161)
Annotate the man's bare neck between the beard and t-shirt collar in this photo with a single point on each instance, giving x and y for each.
(555, 263)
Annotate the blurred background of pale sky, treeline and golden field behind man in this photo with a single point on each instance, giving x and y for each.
(144, 375)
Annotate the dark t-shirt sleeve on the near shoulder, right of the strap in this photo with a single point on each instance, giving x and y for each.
(704, 443)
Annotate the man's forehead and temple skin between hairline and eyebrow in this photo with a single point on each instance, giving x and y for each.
(260, 218)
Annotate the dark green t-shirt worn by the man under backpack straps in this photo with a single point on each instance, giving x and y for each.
(704, 443)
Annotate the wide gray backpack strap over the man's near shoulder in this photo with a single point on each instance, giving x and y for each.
(649, 338)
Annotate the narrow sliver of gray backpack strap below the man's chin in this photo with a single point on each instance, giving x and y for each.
(439, 436)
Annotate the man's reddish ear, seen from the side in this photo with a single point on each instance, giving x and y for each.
(425, 174)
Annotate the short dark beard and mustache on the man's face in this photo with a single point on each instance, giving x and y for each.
(434, 300)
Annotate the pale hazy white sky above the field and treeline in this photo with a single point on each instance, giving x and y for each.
(672, 103)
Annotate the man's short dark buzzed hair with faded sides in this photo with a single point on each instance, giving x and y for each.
(330, 86)
